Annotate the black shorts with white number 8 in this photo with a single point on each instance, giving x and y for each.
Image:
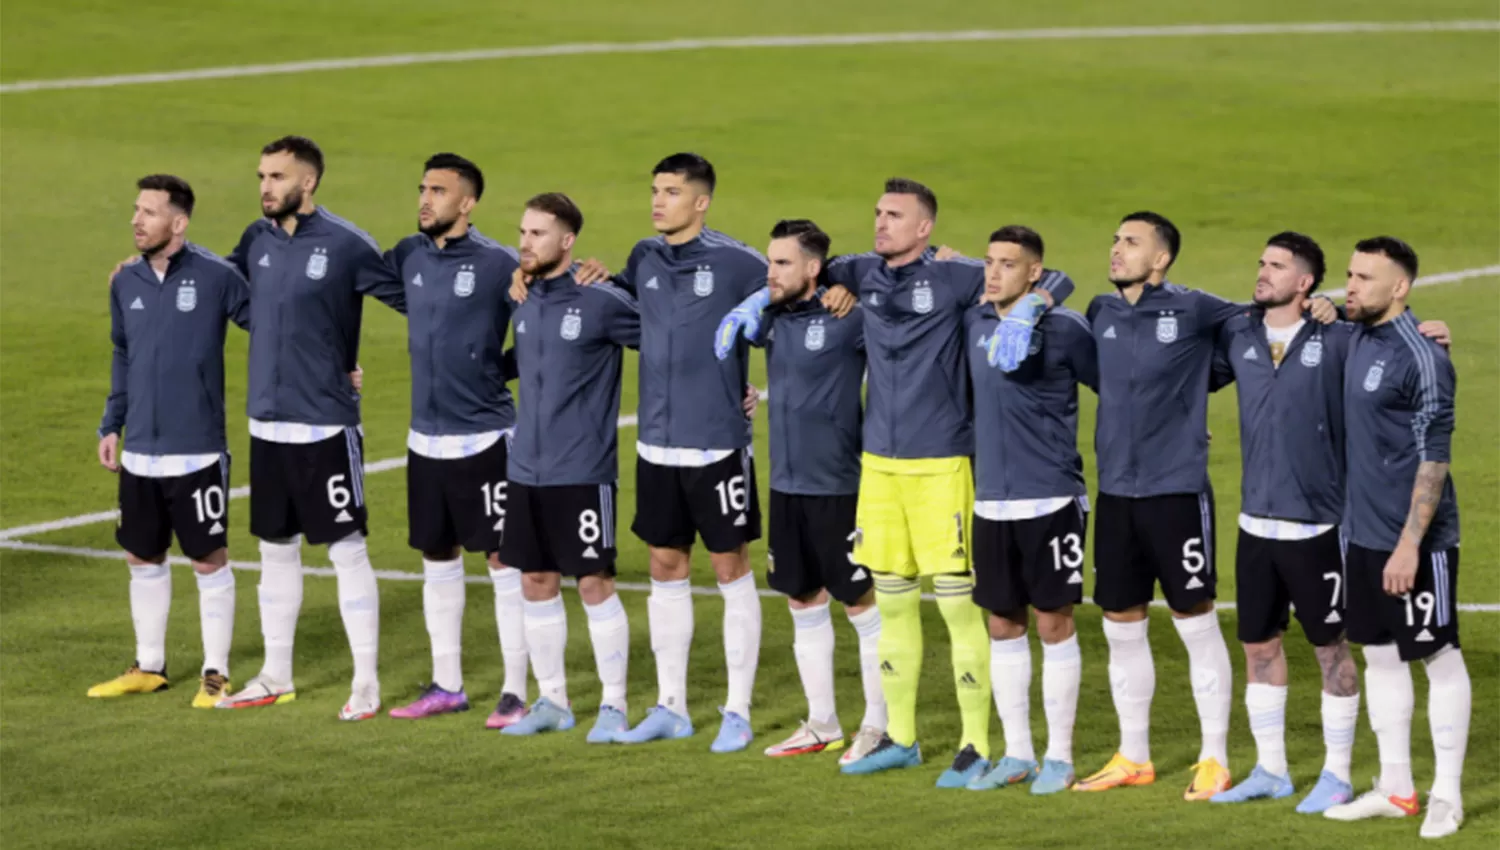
(568, 530)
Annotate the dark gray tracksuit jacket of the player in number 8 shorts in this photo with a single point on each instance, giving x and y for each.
(569, 350)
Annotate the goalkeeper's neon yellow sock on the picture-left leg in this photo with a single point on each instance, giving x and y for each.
(901, 650)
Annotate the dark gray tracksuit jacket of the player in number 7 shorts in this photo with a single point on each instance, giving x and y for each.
(1291, 419)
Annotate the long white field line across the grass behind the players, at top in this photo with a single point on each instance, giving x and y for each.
(751, 43)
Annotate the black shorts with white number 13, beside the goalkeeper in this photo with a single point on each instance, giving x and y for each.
(1036, 563)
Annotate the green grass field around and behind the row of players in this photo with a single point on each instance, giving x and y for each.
(1342, 136)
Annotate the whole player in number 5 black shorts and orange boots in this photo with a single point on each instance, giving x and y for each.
(1156, 512)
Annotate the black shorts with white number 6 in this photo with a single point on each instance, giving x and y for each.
(314, 489)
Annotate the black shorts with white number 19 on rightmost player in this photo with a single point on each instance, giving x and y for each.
(1420, 623)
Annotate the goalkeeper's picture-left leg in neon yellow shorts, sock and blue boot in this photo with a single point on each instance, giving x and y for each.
(883, 545)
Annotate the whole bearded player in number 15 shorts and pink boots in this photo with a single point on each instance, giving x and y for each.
(463, 419)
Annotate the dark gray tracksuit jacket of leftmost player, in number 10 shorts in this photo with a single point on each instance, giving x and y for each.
(167, 376)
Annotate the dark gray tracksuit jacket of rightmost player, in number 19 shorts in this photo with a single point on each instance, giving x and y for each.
(1399, 407)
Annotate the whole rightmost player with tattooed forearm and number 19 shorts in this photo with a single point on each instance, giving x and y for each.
(1402, 519)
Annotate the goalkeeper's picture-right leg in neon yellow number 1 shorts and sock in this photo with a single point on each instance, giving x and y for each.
(940, 509)
